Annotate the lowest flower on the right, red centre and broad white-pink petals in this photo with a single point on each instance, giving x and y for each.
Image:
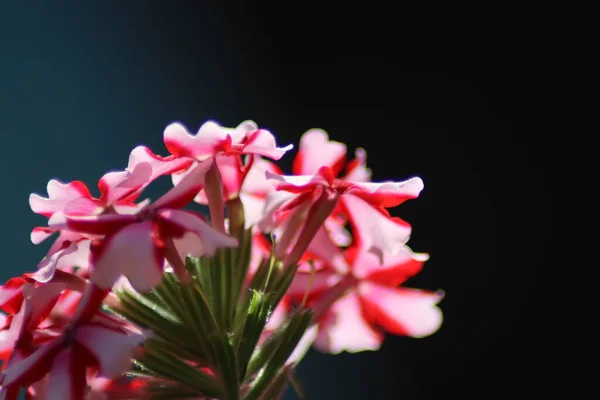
(355, 309)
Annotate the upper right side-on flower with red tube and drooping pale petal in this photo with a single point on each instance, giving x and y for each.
(364, 203)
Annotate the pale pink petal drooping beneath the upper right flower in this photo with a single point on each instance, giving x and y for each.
(383, 236)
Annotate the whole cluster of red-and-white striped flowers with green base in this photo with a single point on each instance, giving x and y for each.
(131, 291)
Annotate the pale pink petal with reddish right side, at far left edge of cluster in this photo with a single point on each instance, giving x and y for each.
(73, 196)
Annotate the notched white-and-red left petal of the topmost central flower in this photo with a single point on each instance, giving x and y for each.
(201, 146)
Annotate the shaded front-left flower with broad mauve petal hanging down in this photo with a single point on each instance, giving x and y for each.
(136, 245)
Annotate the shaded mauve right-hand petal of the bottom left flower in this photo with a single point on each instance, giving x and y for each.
(112, 349)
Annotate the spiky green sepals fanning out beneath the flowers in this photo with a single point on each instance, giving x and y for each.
(205, 335)
